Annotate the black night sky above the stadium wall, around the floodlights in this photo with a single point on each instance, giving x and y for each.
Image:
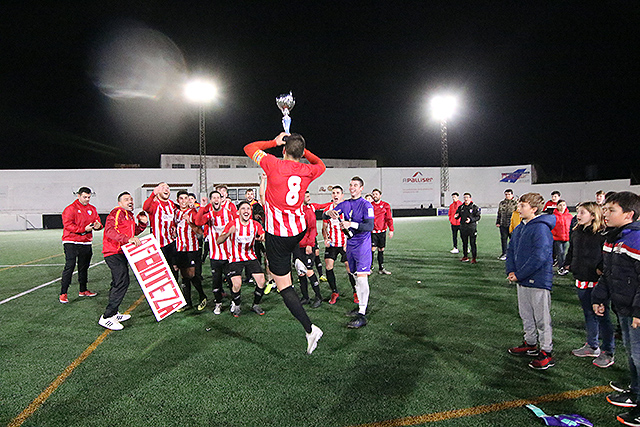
(549, 83)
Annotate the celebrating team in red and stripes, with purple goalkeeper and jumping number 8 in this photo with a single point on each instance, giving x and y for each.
(234, 236)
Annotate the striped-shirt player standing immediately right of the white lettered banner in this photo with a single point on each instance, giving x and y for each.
(187, 246)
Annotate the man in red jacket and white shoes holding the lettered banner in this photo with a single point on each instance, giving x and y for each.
(120, 229)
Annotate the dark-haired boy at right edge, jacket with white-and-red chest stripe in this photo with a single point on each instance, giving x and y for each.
(620, 284)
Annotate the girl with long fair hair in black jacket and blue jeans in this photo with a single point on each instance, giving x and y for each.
(584, 259)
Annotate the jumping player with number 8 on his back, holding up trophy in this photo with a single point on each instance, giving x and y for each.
(288, 180)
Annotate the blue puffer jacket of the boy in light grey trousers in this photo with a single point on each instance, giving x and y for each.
(530, 253)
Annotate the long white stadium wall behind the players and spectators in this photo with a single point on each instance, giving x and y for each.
(27, 194)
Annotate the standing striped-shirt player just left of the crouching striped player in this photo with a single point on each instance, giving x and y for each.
(216, 218)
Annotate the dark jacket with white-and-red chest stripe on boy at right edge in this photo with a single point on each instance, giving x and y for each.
(620, 282)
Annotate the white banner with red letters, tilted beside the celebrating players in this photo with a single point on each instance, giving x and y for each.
(155, 277)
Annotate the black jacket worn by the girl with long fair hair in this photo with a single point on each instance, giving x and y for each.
(585, 254)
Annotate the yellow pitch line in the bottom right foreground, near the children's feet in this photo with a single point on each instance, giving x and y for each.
(483, 409)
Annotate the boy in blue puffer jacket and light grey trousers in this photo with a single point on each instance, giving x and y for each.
(530, 264)
